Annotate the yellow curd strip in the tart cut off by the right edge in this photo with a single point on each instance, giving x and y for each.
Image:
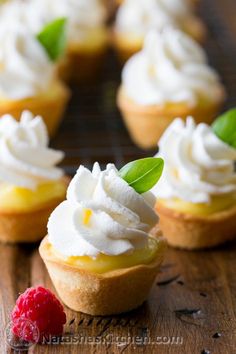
(217, 204)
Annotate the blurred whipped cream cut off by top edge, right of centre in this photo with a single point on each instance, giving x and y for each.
(137, 17)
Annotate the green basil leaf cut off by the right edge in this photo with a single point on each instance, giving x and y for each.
(225, 127)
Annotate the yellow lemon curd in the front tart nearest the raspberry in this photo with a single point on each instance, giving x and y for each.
(104, 263)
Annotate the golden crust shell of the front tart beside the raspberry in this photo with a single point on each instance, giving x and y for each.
(107, 293)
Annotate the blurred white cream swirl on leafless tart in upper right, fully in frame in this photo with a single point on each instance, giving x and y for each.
(172, 67)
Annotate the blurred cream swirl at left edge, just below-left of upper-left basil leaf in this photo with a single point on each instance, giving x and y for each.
(25, 69)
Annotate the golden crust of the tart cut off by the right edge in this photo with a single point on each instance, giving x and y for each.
(196, 232)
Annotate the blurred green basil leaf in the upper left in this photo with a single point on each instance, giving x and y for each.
(53, 38)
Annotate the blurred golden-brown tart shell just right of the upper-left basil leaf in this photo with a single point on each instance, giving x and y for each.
(84, 60)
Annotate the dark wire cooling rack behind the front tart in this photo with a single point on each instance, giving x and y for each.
(93, 129)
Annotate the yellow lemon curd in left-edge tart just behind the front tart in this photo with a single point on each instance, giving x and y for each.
(14, 198)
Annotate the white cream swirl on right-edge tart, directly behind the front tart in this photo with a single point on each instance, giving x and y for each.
(198, 165)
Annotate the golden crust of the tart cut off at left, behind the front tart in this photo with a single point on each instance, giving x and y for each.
(28, 225)
